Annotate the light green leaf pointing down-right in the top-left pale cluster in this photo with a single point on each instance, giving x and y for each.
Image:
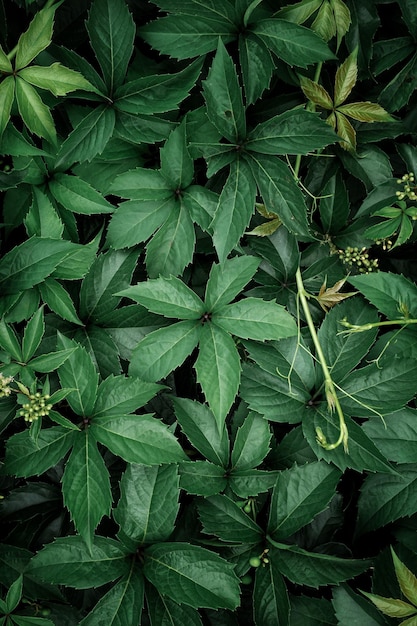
(35, 114)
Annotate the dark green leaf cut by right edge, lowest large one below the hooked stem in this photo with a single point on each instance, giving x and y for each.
(385, 498)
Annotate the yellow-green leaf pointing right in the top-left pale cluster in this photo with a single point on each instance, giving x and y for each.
(56, 78)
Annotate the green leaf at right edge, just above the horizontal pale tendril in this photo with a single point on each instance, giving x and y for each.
(392, 294)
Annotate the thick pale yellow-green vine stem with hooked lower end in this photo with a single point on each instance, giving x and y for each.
(329, 386)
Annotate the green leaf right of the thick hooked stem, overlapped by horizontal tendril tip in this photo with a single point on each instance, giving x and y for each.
(344, 351)
